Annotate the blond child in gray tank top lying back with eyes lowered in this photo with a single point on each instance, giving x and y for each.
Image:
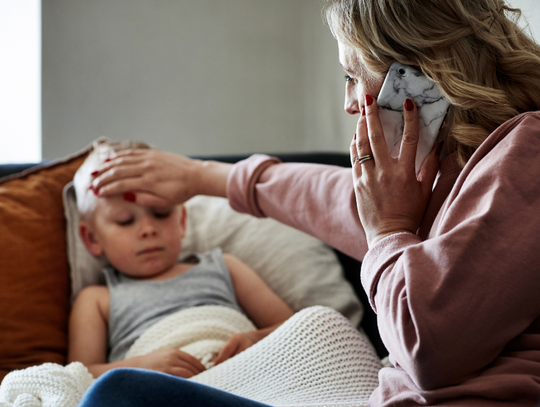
(146, 283)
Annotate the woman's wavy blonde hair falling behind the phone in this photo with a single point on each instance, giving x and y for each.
(484, 63)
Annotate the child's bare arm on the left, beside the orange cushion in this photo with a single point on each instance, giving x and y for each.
(88, 333)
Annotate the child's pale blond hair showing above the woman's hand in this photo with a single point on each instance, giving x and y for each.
(101, 150)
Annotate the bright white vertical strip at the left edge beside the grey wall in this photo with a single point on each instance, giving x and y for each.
(20, 81)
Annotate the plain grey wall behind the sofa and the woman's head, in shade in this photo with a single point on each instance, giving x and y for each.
(196, 77)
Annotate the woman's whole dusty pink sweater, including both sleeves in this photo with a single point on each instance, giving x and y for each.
(458, 303)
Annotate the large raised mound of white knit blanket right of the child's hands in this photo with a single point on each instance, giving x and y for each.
(316, 358)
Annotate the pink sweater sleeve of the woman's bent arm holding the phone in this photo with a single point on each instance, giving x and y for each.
(449, 306)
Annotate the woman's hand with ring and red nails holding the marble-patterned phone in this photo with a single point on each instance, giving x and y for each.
(390, 197)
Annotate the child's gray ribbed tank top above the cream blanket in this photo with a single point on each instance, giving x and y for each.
(135, 305)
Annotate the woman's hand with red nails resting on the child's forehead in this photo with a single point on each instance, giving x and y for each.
(156, 178)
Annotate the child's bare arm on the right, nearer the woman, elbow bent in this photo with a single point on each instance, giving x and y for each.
(265, 309)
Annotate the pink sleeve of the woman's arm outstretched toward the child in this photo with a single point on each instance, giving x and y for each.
(317, 199)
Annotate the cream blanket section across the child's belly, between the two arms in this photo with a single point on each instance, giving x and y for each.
(199, 331)
